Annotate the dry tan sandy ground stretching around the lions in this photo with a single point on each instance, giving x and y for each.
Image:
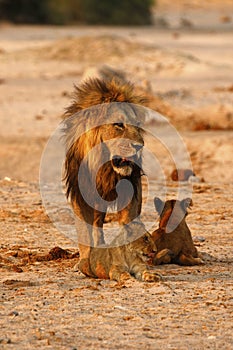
(186, 70)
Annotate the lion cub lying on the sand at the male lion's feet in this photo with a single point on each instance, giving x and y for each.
(125, 257)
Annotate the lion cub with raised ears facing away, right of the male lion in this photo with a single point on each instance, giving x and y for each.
(173, 238)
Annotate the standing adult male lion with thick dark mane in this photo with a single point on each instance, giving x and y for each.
(104, 144)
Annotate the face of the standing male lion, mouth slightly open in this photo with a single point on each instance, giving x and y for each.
(124, 143)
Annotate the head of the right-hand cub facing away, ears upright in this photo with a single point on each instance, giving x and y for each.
(171, 212)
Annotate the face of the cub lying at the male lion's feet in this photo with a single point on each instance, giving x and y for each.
(144, 247)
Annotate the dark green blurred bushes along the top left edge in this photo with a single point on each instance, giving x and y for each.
(116, 12)
